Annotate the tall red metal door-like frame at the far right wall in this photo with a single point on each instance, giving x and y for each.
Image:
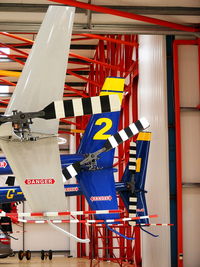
(178, 143)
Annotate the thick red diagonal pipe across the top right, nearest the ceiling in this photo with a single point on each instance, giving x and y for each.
(124, 14)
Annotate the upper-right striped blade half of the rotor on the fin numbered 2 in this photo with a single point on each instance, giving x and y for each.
(123, 135)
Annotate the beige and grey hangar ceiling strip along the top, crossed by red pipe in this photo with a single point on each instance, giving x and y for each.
(27, 15)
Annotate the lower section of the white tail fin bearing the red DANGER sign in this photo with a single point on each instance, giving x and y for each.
(38, 161)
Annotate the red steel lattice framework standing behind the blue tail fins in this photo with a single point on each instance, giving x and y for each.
(117, 54)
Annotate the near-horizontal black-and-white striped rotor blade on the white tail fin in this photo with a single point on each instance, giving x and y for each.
(82, 106)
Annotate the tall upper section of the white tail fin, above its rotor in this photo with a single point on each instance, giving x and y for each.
(43, 76)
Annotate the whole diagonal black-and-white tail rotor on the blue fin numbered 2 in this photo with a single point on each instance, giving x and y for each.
(112, 142)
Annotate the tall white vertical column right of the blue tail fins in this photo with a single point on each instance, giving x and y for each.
(152, 100)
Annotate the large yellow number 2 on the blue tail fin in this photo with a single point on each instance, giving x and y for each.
(100, 135)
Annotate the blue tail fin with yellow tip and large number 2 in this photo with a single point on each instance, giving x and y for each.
(97, 184)
